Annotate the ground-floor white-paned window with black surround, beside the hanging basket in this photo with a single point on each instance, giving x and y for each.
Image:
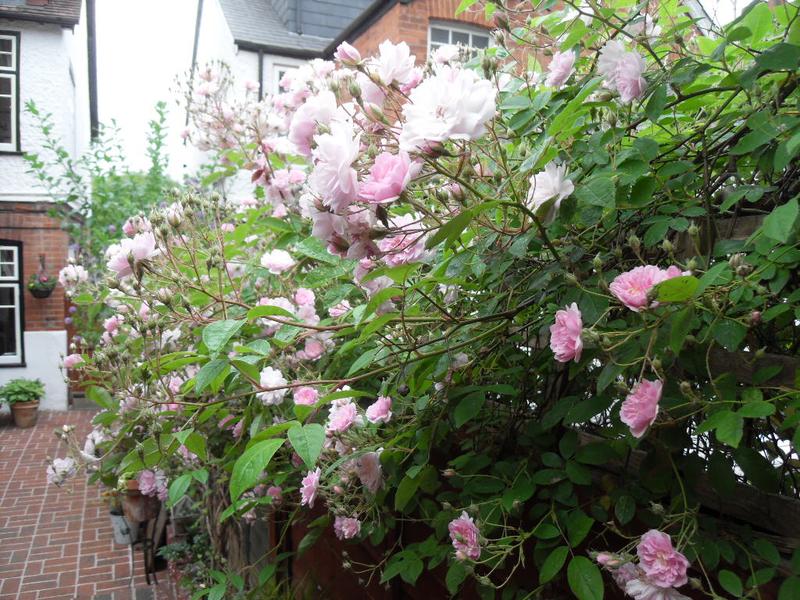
(10, 303)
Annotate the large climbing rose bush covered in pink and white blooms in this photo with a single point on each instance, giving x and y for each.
(530, 314)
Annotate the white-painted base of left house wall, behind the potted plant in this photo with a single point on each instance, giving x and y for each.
(43, 351)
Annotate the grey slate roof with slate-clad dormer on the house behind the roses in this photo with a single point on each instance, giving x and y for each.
(291, 26)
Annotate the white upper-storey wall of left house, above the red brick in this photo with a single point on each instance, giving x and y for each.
(46, 52)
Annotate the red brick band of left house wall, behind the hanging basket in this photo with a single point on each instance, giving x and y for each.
(29, 223)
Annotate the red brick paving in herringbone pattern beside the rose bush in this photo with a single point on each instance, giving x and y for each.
(58, 543)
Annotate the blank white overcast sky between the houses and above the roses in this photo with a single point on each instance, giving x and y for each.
(142, 46)
